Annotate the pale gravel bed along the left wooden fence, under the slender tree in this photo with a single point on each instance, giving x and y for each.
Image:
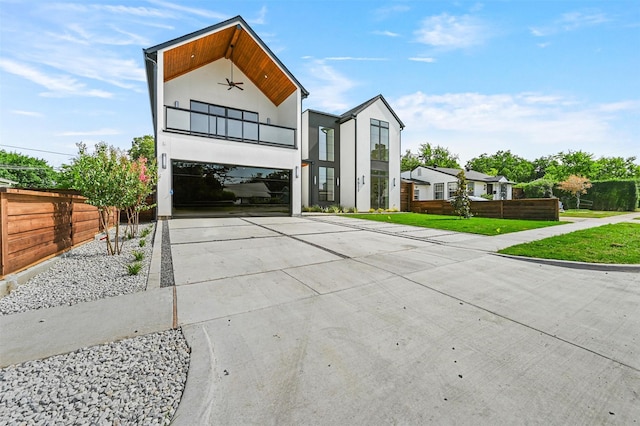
(83, 274)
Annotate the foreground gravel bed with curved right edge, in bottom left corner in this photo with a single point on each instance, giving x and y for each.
(133, 381)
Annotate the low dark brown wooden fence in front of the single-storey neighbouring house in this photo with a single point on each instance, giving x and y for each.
(527, 208)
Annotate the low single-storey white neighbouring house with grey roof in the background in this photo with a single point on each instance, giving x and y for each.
(440, 183)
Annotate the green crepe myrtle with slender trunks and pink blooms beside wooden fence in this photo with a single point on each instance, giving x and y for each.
(111, 182)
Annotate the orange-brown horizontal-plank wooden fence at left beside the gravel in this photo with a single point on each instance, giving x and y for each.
(35, 226)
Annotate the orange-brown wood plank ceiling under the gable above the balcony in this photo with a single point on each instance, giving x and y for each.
(248, 56)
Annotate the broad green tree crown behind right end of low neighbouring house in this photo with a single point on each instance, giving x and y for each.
(506, 164)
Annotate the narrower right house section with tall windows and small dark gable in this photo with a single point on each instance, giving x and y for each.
(353, 159)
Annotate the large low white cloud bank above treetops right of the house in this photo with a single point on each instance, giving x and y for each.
(529, 124)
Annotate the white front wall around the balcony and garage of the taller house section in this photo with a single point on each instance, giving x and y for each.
(201, 84)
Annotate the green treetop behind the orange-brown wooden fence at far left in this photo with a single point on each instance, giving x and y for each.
(28, 172)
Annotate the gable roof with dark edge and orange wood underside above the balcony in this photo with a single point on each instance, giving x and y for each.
(232, 39)
